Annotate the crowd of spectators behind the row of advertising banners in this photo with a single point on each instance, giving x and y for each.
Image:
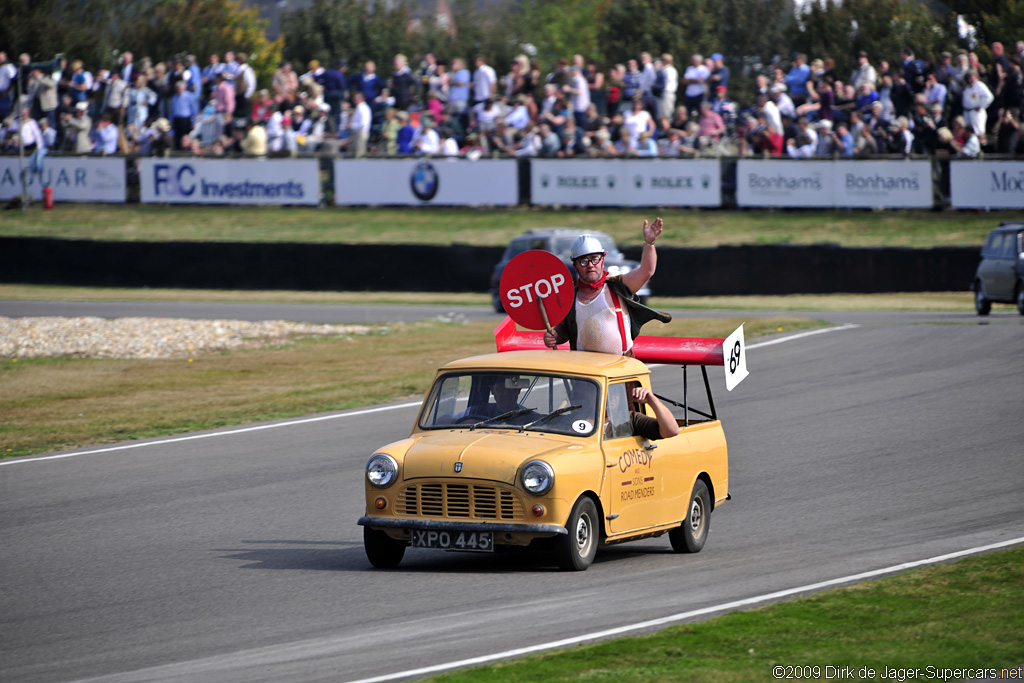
(952, 104)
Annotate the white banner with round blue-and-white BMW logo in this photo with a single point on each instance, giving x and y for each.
(436, 182)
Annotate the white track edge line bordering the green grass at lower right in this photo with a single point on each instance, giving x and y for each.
(737, 605)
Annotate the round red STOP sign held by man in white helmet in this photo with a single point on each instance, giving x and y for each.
(534, 280)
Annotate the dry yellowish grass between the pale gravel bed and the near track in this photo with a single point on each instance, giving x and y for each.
(55, 404)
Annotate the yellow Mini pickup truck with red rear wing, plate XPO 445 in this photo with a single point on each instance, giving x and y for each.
(537, 448)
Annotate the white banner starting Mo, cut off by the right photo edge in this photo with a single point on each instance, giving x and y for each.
(987, 185)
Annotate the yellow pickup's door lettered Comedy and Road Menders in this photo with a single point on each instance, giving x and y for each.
(633, 472)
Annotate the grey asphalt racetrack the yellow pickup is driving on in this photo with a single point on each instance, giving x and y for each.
(234, 556)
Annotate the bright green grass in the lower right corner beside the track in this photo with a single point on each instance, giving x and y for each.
(952, 618)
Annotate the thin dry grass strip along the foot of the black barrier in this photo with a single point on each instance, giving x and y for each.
(952, 302)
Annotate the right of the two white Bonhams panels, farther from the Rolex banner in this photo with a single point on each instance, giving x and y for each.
(884, 185)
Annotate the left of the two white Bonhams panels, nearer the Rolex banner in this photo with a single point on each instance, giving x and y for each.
(786, 184)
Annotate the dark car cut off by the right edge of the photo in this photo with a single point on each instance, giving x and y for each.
(1001, 274)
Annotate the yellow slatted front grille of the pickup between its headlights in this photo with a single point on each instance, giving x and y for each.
(459, 500)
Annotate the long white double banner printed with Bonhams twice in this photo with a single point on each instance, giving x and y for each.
(810, 184)
